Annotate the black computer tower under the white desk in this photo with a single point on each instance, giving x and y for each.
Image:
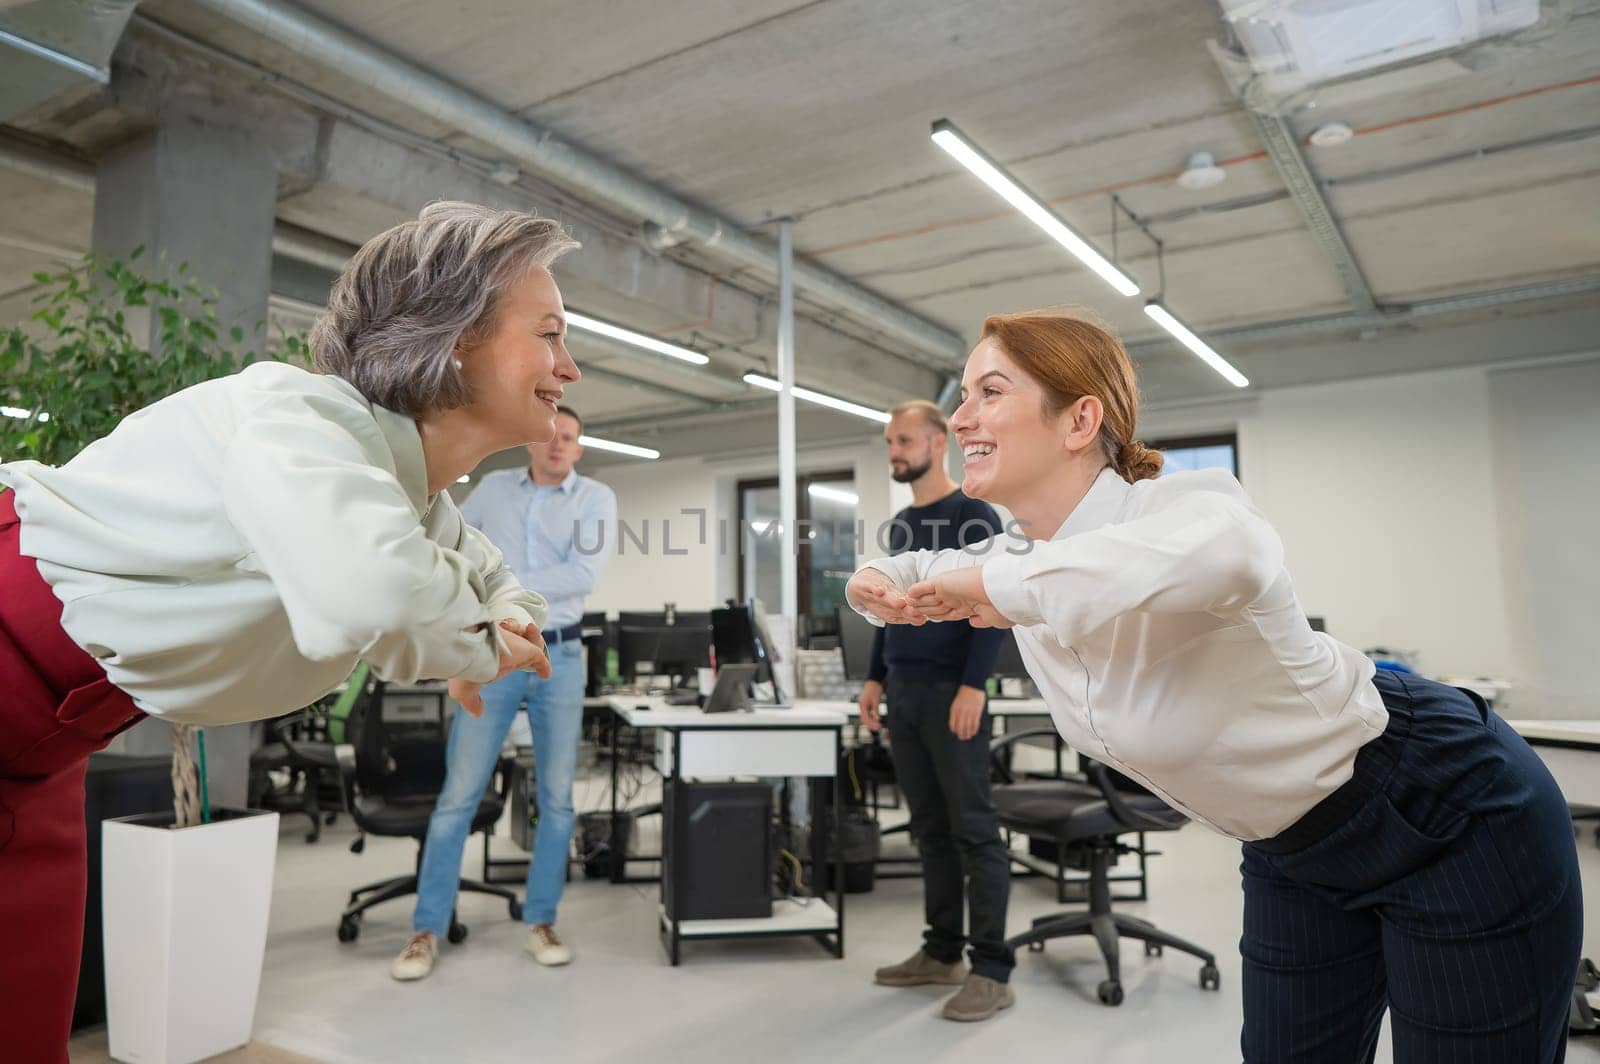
(718, 852)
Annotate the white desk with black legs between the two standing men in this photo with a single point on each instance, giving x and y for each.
(695, 745)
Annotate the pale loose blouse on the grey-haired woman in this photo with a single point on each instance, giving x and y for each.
(233, 551)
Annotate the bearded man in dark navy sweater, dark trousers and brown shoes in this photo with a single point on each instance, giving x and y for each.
(935, 678)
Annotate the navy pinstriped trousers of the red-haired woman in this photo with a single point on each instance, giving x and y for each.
(1441, 884)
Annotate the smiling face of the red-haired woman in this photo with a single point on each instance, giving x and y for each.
(1009, 442)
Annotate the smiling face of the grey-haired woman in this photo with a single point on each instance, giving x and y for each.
(516, 375)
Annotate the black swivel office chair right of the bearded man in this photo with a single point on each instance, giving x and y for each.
(1086, 822)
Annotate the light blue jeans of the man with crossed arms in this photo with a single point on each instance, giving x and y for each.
(556, 714)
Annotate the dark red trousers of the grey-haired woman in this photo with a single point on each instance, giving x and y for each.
(57, 708)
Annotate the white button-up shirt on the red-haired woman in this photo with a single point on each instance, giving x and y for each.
(1166, 638)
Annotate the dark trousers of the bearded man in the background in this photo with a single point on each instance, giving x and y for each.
(946, 785)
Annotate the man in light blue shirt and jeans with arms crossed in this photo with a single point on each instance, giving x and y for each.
(556, 530)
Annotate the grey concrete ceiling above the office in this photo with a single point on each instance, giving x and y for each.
(1468, 174)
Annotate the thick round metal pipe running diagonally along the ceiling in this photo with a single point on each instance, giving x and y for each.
(543, 154)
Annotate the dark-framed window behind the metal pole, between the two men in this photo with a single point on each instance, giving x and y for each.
(826, 510)
